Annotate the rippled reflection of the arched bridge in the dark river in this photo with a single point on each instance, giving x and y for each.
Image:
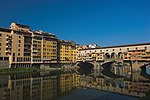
(138, 86)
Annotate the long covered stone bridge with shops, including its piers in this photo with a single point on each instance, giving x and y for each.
(133, 56)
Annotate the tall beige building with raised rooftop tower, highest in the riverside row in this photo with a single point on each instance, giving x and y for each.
(21, 53)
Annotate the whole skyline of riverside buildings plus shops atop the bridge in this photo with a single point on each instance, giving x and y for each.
(22, 47)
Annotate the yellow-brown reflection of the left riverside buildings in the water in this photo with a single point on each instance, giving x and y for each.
(47, 86)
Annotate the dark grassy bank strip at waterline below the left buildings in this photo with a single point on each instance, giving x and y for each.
(19, 70)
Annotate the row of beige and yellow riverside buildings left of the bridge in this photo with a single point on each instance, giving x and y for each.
(22, 47)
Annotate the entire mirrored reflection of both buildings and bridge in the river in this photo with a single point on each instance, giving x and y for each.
(53, 85)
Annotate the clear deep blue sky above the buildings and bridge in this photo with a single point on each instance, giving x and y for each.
(104, 22)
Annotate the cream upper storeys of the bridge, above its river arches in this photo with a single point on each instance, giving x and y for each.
(116, 52)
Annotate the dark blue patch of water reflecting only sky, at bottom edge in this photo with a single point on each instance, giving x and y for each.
(92, 94)
